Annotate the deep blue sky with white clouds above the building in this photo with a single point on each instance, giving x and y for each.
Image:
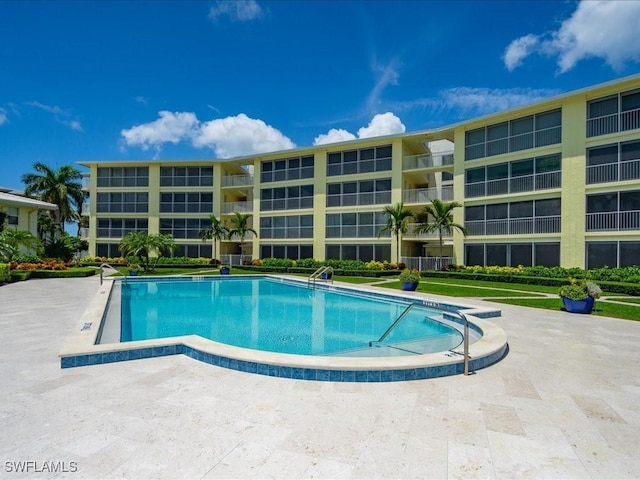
(195, 79)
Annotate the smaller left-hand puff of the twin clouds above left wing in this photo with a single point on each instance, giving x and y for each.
(169, 128)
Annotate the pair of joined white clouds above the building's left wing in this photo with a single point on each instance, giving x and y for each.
(227, 137)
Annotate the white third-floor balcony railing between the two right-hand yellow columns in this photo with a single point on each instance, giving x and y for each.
(525, 183)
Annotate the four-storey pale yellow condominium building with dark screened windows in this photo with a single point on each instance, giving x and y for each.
(552, 183)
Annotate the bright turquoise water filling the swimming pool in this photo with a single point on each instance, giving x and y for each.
(272, 315)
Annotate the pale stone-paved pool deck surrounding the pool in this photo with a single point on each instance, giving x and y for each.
(563, 404)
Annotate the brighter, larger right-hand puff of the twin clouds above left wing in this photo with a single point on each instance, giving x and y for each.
(240, 135)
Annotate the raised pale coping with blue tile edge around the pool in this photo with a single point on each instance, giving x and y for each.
(81, 348)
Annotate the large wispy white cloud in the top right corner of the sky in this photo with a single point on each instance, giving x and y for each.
(604, 29)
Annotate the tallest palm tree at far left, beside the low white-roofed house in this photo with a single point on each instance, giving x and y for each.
(62, 187)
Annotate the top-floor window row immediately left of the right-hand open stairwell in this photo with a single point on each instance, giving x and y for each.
(364, 160)
